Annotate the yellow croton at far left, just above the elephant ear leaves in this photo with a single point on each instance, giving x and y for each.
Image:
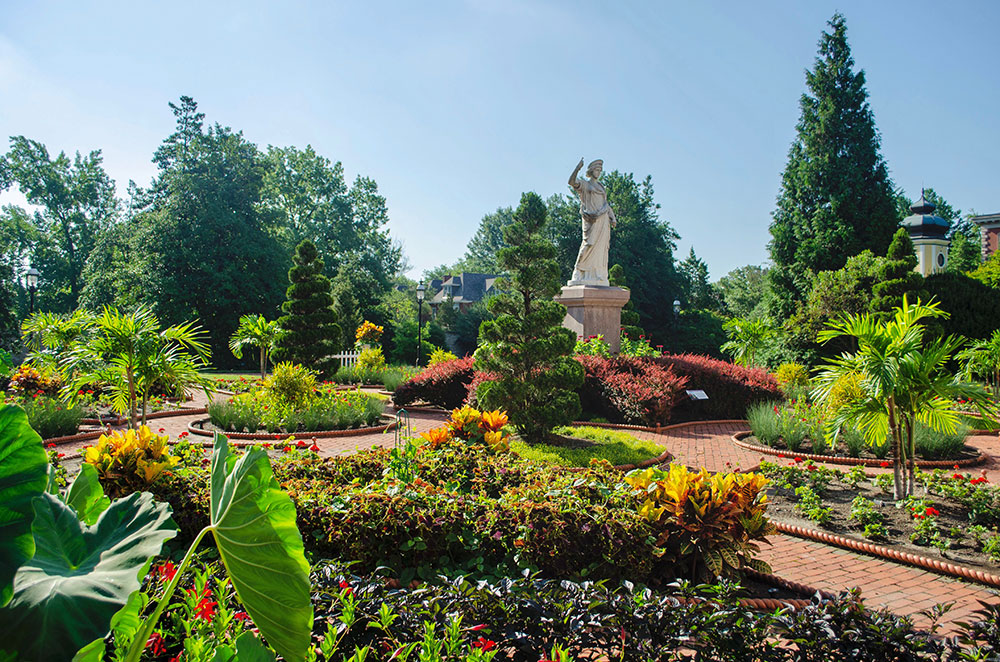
(129, 461)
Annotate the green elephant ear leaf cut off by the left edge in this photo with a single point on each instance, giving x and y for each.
(23, 476)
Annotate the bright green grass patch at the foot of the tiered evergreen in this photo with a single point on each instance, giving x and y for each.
(615, 446)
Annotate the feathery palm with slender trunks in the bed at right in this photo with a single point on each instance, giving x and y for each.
(903, 379)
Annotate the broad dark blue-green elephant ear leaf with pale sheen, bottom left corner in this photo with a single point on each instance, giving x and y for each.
(80, 576)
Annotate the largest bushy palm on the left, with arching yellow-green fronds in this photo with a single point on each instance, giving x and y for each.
(128, 353)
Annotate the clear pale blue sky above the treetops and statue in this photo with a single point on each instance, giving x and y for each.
(455, 108)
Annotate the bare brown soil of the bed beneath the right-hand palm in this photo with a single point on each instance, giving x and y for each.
(838, 497)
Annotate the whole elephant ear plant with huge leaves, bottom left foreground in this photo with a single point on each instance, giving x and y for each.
(71, 566)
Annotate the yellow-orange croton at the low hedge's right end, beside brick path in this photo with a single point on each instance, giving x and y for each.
(716, 520)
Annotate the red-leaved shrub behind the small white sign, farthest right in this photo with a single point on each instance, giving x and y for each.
(731, 389)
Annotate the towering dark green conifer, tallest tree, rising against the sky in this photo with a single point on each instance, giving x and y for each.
(836, 197)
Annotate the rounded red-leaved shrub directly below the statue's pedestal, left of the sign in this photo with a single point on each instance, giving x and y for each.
(626, 389)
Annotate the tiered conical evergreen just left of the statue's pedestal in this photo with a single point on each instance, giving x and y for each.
(526, 345)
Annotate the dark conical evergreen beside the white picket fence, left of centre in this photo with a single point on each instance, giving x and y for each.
(309, 331)
